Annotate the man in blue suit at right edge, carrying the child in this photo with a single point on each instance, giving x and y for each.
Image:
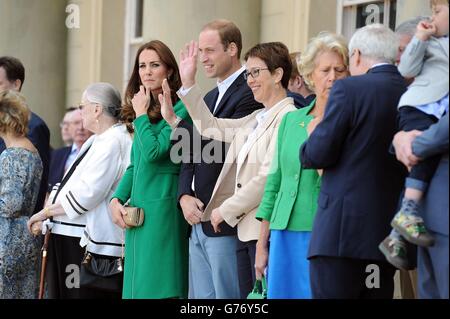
(433, 262)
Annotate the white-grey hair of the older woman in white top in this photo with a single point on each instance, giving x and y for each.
(106, 95)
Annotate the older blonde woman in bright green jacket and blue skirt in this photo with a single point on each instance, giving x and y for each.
(290, 197)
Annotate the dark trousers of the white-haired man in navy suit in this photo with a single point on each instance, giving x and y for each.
(346, 278)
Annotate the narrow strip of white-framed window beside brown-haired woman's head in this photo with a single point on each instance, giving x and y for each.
(134, 26)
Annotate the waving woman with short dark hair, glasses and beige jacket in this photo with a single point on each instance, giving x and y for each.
(240, 186)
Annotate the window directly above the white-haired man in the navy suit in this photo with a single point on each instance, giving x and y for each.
(355, 14)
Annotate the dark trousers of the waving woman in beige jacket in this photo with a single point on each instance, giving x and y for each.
(246, 252)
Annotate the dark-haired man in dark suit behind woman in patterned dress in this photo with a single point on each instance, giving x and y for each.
(12, 76)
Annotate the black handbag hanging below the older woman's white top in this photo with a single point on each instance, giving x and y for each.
(102, 272)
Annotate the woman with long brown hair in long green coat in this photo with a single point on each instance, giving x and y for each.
(156, 253)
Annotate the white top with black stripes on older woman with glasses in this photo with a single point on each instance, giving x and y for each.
(86, 195)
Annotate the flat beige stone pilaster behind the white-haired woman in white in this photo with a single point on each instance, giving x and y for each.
(96, 48)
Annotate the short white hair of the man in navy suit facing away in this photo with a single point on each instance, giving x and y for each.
(376, 42)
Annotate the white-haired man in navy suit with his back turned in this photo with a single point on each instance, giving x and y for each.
(361, 181)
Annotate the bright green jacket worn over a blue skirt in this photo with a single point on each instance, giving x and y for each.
(290, 194)
